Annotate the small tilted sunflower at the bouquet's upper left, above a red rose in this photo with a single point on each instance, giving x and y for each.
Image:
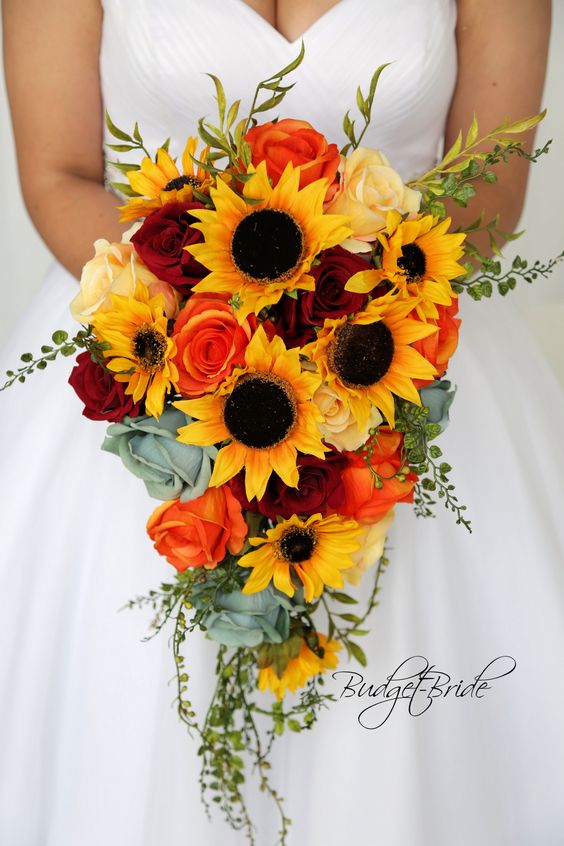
(160, 182)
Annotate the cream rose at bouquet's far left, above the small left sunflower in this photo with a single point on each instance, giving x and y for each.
(116, 269)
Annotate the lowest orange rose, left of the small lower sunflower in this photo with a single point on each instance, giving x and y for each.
(199, 532)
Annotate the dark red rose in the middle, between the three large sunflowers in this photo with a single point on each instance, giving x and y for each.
(297, 317)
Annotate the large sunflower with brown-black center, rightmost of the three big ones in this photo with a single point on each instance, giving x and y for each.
(368, 359)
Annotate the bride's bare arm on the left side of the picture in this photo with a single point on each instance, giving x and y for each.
(51, 59)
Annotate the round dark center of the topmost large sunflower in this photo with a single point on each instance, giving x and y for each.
(267, 246)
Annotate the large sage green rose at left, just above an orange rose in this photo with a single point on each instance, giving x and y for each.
(149, 449)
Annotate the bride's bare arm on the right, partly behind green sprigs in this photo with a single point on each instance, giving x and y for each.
(502, 50)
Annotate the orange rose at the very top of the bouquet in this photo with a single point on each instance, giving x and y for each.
(298, 142)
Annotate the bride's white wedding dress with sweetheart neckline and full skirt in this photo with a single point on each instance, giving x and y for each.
(91, 751)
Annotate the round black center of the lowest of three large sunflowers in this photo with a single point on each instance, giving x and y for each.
(260, 411)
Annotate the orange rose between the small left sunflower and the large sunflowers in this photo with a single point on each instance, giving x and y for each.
(209, 343)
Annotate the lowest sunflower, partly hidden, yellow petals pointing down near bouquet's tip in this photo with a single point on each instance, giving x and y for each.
(300, 666)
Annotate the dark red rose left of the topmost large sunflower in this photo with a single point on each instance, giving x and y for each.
(161, 240)
